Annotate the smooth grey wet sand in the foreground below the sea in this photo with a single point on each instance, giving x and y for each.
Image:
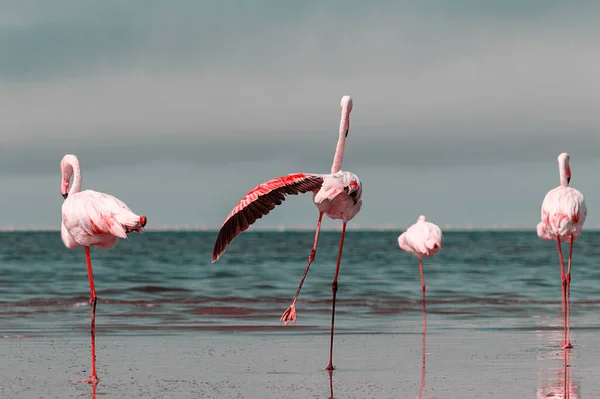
(458, 363)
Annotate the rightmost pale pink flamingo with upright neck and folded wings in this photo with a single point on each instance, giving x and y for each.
(563, 214)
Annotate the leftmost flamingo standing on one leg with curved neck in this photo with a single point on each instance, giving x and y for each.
(90, 218)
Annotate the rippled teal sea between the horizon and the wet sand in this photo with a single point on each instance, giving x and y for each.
(164, 283)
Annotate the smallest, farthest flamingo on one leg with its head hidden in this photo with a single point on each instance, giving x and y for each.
(423, 239)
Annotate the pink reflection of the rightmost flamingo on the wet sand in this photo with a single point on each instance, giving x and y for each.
(556, 382)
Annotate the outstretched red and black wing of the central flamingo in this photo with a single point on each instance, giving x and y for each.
(259, 202)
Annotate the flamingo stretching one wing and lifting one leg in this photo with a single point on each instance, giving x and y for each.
(337, 195)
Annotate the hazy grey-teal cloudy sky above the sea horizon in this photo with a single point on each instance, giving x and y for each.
(179, 108)
